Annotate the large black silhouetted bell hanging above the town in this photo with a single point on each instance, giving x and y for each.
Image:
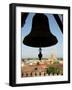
(40, 35)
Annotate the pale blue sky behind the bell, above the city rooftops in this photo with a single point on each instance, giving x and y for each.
(31, 52)
